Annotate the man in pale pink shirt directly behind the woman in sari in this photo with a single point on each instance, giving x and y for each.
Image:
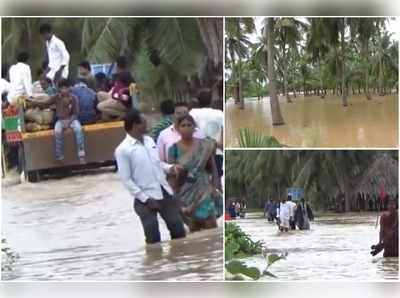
(170, 135)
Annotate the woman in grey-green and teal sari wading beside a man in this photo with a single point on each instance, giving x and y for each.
(197, 186)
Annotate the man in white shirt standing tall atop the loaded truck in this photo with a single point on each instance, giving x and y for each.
(57, 55)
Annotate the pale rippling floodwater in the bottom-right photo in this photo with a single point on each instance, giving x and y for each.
(336, 248)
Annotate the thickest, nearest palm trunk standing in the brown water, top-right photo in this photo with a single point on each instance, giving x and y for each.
(277, 118)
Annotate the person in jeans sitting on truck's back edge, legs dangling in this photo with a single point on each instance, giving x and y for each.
(67, 111)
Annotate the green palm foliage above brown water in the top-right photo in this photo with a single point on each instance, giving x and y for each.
(309, 57)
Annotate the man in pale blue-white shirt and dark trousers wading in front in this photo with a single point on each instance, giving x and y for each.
(144, 176)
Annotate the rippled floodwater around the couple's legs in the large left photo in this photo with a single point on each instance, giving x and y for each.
(84, 228)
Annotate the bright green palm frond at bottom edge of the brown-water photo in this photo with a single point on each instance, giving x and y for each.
(252, 139)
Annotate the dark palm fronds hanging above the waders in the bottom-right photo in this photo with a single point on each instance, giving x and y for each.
(325, 175)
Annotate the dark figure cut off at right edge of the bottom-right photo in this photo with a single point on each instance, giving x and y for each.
(389, 232)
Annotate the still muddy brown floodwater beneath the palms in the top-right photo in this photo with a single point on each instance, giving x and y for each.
(316, 122)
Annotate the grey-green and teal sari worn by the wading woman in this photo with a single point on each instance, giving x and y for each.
(197, 193)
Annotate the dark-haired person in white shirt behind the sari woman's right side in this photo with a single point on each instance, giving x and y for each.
(211, 122)
